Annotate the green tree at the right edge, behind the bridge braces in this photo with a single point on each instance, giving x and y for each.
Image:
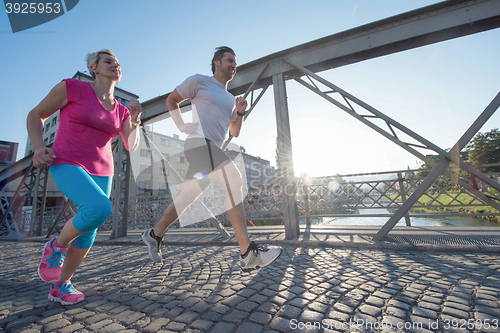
(484, 148)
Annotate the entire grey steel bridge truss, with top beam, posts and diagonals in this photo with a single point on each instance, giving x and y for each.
(435, 23)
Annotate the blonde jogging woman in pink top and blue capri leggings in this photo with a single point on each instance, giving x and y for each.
(81, 162)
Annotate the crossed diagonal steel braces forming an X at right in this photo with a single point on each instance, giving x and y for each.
(367, 115)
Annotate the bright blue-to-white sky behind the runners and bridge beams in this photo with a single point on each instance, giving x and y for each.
(437, 91)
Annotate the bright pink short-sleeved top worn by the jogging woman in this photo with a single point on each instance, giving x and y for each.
(86, 129)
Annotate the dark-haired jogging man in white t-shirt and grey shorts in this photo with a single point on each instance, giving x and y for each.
(215, 111)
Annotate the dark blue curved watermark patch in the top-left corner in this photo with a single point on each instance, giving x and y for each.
(25, 15)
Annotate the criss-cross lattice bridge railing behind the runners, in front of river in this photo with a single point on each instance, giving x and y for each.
(350, 195)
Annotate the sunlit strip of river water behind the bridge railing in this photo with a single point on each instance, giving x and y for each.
(415, 221)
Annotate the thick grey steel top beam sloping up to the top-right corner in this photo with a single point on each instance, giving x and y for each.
(435, 23)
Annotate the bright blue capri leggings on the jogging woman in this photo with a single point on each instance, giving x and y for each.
(91, 195)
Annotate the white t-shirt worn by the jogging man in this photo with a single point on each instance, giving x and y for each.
(213, 106)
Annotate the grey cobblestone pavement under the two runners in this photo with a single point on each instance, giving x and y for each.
(308, 289)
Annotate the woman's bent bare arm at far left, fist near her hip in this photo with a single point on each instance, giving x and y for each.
(55, 100)
